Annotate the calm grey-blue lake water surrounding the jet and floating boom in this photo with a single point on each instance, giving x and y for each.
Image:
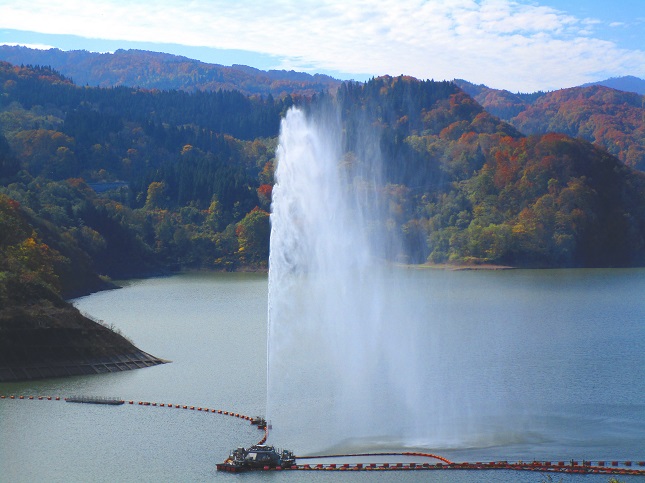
(562, 351)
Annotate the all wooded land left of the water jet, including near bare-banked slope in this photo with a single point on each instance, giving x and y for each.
(119, 182)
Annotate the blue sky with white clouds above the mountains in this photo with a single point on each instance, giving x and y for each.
(518, 45)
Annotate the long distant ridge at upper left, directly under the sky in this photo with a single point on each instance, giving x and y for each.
(155, 70)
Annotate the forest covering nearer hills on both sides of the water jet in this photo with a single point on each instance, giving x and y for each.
(100, 183)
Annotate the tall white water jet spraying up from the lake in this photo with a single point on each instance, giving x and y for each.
(351, 365)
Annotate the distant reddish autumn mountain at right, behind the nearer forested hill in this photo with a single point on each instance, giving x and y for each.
(610, 118)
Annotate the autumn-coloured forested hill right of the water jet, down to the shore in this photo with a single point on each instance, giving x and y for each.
(467, 187)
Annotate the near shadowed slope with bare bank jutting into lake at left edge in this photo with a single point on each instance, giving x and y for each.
(41, 335)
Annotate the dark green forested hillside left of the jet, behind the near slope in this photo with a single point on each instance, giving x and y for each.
(181, 167)
